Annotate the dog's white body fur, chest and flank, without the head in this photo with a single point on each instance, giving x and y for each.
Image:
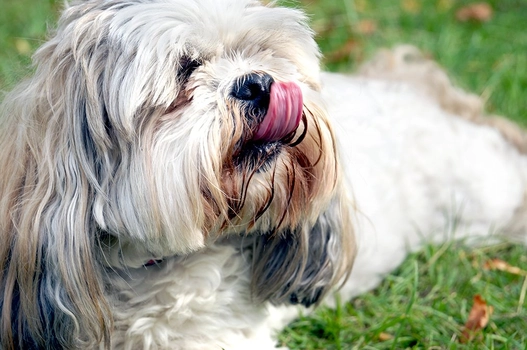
(417, 174)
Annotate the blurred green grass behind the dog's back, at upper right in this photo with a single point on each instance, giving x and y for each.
(486, 58)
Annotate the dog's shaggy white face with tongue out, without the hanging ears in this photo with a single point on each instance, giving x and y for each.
(203, 131)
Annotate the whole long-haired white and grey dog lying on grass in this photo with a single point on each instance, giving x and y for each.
(179, 174)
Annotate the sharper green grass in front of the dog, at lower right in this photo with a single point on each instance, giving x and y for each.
(424, 305)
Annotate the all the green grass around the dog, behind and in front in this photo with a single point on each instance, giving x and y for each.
(425, 303)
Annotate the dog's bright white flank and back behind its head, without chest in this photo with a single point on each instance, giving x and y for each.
(418, 174)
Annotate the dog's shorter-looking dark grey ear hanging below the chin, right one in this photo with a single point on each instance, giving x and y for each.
(301, 266)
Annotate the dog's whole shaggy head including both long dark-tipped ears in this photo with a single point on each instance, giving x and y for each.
(152, 129)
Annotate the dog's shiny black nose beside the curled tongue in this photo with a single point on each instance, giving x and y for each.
(254, 88)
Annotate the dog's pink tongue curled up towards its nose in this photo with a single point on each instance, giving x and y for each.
(284, 114)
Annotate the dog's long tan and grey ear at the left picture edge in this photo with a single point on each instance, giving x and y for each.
(52, 294)
